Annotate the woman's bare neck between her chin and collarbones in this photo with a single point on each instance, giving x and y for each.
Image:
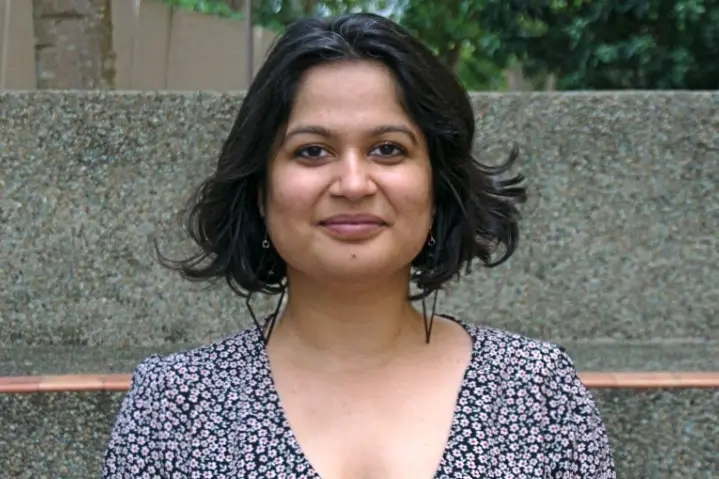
(354, 325)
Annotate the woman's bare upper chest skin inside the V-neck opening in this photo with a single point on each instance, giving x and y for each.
(388, 426)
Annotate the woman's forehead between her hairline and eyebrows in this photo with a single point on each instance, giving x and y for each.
(348, 94)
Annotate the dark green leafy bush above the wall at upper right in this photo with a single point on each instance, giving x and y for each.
(608, 44)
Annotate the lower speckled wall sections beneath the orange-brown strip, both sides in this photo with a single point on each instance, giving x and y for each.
(656, 434)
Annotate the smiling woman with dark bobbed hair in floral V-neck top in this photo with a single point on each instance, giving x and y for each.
(347, 181)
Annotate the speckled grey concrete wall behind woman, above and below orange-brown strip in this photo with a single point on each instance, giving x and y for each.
(617, 262)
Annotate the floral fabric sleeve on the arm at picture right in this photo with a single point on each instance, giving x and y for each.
(580, 446)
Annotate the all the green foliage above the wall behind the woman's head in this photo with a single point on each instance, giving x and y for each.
(538, 44)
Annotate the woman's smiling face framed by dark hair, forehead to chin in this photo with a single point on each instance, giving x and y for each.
(349, 195)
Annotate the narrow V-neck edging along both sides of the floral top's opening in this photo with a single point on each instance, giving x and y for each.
(454, 430)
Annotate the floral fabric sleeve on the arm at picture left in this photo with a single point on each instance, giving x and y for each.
(135, 449)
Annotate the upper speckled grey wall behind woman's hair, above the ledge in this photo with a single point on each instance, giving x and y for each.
(619, 242)
